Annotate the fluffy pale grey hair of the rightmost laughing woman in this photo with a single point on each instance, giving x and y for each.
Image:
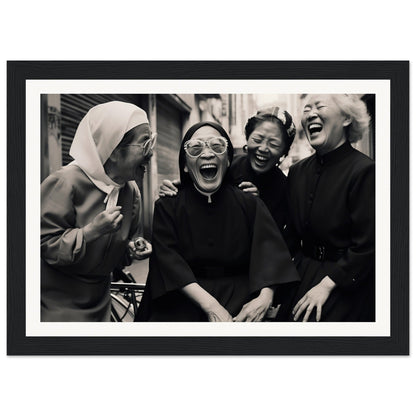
(351, 105)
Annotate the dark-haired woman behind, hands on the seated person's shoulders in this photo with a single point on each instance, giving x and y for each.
(269, 134)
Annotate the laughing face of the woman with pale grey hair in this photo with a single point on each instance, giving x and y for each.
(324, 123)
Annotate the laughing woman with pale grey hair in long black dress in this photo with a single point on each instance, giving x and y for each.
(332, 206)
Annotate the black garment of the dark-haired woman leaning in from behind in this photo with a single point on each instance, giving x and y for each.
(272, 187)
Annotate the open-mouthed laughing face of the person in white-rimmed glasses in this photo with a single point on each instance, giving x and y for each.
(208, 169)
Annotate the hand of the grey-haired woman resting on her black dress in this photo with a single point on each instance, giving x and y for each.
(315, 297)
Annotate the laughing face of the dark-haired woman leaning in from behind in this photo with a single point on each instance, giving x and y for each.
(265, 146)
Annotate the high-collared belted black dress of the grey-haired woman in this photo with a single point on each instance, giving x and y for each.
(332, 204)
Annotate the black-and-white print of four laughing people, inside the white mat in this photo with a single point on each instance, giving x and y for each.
(237, 239)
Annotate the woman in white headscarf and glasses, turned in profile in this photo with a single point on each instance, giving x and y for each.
(90, 210)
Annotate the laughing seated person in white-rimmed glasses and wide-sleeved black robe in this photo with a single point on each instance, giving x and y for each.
(217, 253)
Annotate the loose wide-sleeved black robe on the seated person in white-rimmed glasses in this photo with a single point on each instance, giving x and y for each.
(230, 246)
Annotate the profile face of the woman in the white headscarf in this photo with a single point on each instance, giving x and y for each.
(130, 159)
